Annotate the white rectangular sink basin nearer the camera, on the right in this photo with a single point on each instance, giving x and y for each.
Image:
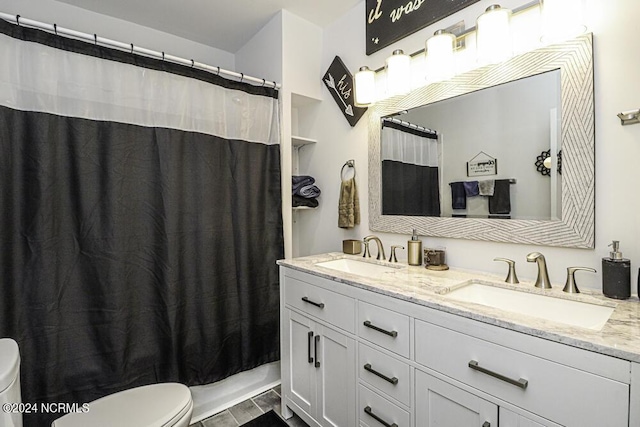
(574, 313)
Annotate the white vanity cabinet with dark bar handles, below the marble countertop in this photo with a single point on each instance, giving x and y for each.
(388, 361)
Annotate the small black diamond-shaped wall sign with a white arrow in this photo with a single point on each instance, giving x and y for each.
(339, 82)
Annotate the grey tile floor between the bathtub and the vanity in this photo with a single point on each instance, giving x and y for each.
(249, 409)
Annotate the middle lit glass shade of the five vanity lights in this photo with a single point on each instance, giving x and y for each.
(440, 60)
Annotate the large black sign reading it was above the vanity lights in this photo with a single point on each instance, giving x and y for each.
(391, 20)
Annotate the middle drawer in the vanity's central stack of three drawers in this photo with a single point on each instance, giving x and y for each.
(386, 373)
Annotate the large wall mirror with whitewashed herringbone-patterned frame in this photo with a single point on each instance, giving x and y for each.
(502, 153)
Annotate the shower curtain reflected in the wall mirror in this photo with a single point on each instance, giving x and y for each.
(410, 184)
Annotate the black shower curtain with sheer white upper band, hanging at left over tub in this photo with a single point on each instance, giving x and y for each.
(140, 220)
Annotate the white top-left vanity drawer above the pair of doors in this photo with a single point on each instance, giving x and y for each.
(333, 308)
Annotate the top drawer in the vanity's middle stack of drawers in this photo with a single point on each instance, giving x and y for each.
(385, 328)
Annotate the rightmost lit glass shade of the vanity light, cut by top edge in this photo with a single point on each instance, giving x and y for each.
(561, 20)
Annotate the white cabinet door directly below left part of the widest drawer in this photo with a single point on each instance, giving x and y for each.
(439, 404)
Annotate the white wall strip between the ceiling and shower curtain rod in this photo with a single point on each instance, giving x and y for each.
(79, 19)
